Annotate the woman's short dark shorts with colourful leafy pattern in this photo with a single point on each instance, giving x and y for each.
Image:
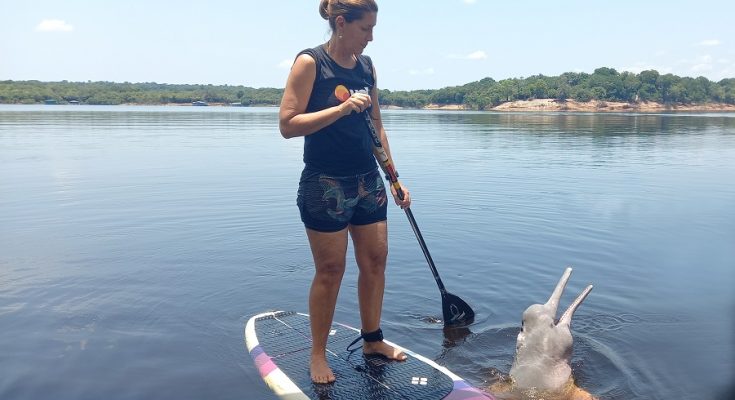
(330, 203)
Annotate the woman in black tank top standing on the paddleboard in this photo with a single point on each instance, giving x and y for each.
(341, 191)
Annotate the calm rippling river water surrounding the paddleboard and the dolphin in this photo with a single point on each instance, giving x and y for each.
(136, 241)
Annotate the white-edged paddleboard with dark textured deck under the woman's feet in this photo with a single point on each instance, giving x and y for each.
(280, 344)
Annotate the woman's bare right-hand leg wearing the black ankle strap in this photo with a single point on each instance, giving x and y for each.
(371, 252)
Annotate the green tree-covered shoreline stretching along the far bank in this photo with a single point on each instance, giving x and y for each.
(604, 84)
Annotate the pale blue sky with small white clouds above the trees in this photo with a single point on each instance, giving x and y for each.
(418, 44)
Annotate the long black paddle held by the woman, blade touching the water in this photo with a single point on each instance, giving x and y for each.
(455, 311)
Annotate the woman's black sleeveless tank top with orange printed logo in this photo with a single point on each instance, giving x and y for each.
(344, 147)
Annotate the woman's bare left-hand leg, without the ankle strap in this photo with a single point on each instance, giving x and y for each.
(329, 251)
